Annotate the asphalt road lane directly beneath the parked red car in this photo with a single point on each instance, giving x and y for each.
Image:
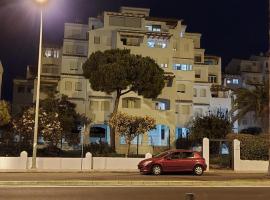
(129, 176)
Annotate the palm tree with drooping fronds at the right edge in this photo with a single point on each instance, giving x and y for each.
(255, 100)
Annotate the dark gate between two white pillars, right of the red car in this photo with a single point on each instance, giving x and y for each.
(220, 154)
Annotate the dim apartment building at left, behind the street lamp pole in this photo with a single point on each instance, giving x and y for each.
(24, 89)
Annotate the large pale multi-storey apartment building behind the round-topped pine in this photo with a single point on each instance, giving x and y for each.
(190, 73)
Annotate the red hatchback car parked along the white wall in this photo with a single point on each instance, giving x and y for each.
(174, 161)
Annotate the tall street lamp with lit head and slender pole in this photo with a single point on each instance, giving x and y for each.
(41, 3)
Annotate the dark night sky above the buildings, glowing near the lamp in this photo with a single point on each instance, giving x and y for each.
(230, 28)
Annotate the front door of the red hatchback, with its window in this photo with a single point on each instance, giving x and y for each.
(171, 162)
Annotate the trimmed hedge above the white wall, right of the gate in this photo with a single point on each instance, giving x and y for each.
(252, 147)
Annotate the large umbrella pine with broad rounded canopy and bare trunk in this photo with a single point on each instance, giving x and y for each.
(119, 71)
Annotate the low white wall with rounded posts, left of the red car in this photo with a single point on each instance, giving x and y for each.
(71, 164)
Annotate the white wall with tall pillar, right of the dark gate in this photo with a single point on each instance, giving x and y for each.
(247, 165)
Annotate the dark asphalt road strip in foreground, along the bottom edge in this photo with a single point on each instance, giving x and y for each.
(131, 193)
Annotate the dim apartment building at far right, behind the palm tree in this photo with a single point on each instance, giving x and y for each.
(247, 74)
